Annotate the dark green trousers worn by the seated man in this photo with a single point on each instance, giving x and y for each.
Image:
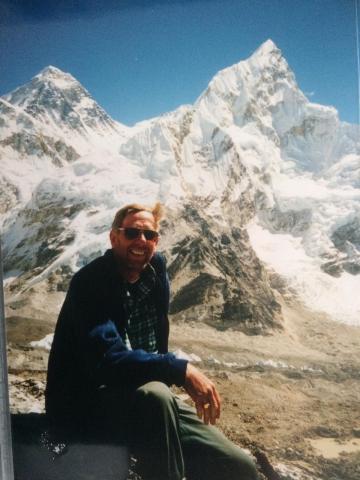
(173, 443)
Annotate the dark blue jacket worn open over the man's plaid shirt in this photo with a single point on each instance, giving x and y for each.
(88, 350)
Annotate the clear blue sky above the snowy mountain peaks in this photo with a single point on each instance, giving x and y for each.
(141, 58)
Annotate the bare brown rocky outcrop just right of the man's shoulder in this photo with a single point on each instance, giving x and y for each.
(217, 278)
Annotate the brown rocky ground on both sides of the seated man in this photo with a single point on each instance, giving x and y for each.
(293, 395)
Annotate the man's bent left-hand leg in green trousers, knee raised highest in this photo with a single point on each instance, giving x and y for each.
(155, 419)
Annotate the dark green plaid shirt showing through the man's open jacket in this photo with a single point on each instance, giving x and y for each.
(141, 313)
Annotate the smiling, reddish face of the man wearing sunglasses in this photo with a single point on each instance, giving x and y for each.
(134, 254)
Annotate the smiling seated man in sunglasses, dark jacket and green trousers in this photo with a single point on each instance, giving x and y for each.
(110, 370)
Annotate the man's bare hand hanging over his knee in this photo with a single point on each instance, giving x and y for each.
(204, 393)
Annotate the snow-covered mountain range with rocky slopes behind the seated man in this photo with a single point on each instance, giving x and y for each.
(262, 189)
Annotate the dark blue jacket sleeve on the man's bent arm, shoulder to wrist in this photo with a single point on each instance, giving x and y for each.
(102, 354)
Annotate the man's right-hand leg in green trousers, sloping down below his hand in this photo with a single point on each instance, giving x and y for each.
(208, 454)
